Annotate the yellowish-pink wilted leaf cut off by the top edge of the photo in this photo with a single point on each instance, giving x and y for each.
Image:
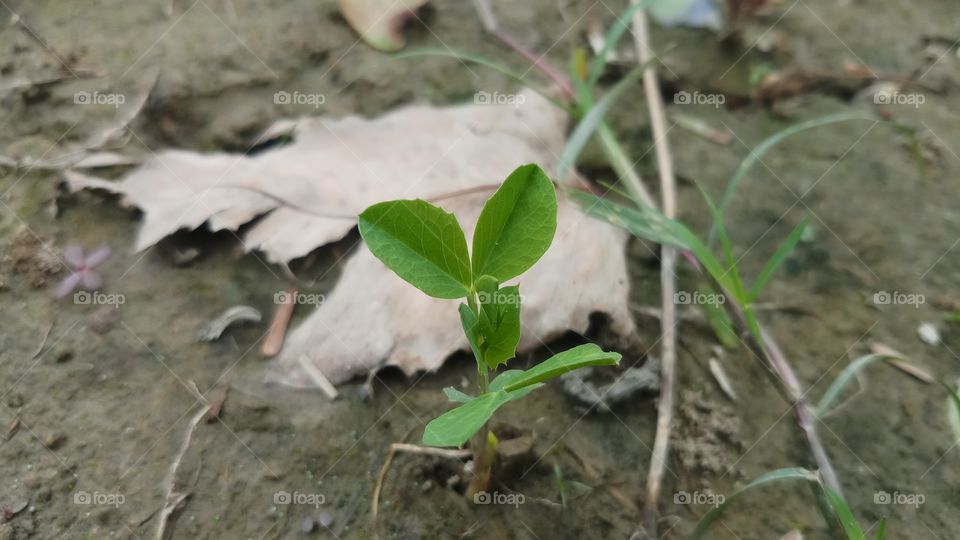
(379, 22)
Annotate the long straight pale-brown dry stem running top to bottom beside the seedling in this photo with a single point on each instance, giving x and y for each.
(668, 259)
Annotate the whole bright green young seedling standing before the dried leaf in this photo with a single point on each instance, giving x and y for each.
(426, 247)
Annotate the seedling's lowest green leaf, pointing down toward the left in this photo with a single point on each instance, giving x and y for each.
(455, 427)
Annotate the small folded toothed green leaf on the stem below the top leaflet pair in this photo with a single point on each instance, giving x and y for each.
(499, 324)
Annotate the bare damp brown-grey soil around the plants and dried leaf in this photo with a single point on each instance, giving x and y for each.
(98, 399)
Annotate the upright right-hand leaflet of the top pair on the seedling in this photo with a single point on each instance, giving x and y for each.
(516, 225)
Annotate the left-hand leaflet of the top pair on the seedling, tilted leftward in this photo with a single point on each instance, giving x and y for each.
(421, 243)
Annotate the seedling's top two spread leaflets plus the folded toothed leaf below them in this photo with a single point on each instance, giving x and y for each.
(426, 247)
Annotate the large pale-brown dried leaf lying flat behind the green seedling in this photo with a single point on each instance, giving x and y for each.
(337, 168)
